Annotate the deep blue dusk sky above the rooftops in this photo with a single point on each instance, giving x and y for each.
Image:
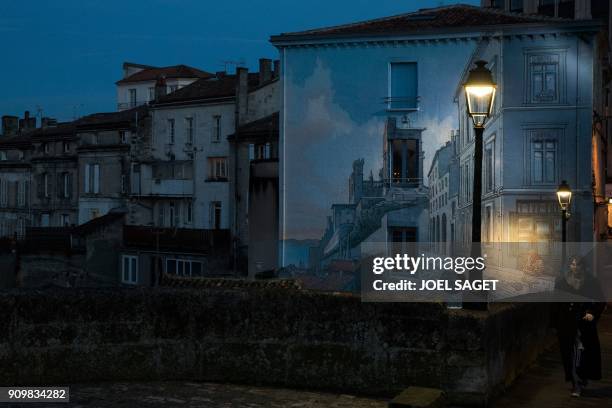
(64, 57)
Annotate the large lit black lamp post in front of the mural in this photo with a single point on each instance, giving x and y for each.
(479, 94)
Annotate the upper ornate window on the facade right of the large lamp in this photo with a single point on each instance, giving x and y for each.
(543, 78)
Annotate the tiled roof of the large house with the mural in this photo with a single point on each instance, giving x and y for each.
(456, 17)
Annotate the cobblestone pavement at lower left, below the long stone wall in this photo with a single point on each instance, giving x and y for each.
(201, 395)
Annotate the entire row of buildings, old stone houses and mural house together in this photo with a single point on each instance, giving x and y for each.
(194, 165)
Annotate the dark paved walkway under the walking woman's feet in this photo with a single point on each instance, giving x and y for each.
(543, 386)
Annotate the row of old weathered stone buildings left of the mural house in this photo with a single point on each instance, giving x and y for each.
(163, 185)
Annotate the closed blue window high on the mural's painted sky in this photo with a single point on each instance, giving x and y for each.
(402, 86)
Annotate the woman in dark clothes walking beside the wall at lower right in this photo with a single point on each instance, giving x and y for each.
(576, 324)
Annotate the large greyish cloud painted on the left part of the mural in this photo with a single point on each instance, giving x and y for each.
(321, 143)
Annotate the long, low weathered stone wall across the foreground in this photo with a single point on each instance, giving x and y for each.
(275, 336)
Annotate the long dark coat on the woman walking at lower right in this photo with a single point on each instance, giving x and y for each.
(568, 319)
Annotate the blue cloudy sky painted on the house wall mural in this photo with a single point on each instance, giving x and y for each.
(335, 113)
